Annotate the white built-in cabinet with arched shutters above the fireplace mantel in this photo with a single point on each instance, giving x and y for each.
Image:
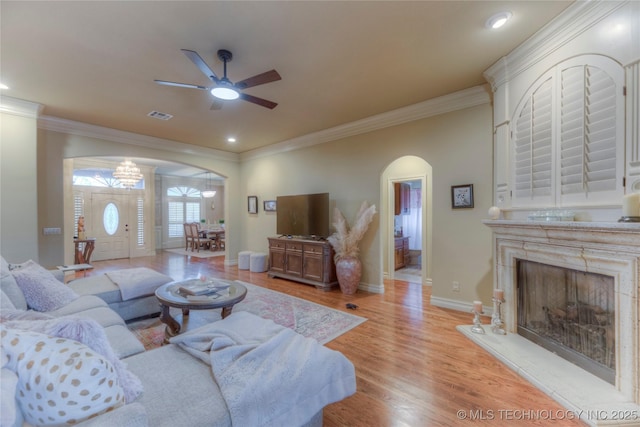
(566, 109)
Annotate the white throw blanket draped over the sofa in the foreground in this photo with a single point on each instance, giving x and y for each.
(269, 375)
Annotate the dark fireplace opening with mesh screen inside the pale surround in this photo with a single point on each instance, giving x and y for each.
(569, 312)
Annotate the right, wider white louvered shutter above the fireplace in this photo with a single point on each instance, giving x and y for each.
(591, 132)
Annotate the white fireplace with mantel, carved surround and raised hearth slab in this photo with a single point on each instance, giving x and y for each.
(607, 257)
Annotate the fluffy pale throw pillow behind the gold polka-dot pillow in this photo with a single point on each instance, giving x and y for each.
(90, 333)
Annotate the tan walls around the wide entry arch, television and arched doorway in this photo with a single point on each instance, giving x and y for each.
(457, 145)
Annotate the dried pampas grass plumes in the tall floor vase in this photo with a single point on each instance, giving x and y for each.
(345, 240)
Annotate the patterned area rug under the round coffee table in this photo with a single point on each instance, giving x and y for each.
(305, 317)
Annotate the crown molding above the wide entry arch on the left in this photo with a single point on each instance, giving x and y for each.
(123, 137)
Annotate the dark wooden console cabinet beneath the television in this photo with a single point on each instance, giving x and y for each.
(303, 260)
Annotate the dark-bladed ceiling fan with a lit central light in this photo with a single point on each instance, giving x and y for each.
(223, 88)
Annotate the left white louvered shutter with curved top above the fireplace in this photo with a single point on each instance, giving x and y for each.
(533, 149)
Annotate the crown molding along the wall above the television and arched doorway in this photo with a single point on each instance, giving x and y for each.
(467, 98)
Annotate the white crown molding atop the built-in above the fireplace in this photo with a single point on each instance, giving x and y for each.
(571, 23)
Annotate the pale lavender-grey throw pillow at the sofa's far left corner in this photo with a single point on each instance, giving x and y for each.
(41, 289)
